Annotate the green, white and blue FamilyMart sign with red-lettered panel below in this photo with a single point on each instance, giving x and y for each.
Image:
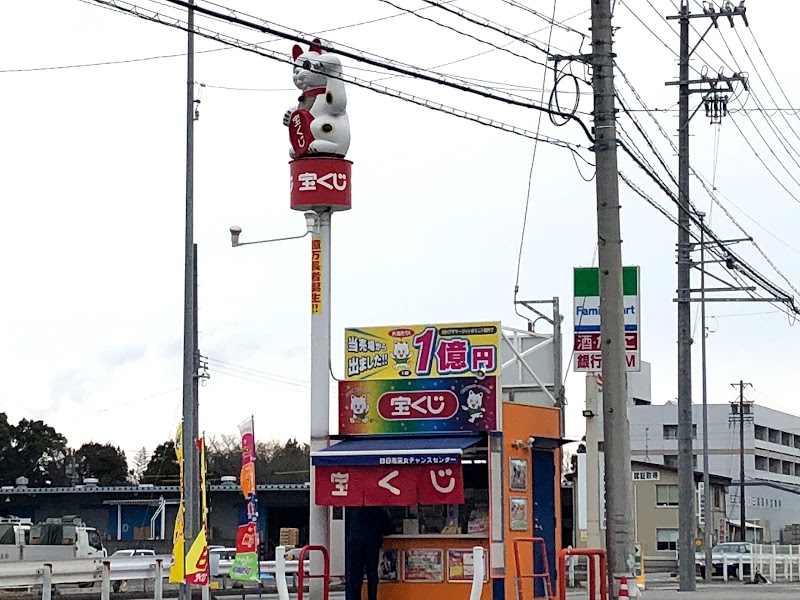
(586, 316)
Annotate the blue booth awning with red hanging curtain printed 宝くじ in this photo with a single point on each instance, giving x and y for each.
(391, 471)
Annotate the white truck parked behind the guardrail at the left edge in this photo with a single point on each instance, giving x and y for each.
(54, 539)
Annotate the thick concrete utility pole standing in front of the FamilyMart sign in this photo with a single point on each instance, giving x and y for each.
(616, 430)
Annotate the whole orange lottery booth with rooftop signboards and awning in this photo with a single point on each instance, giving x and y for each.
(456, 431)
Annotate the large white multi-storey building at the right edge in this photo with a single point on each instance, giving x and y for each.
(771, 449)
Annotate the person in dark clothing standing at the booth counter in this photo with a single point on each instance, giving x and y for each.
(365, 528)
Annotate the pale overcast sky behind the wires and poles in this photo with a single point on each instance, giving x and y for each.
(93, 207)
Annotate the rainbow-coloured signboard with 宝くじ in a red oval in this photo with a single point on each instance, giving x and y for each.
(445, 404)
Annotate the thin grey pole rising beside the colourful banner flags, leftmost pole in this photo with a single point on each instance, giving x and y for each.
(190, 412)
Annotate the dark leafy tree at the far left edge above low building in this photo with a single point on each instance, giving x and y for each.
(34, 450)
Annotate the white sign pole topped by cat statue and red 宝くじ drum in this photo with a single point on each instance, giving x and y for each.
(319, 132)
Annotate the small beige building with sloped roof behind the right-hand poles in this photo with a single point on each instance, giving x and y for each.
(656, 504)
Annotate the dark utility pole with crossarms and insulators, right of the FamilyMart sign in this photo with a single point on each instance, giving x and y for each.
(713, 97)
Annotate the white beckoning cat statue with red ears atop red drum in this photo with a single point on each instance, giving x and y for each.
(319, 123)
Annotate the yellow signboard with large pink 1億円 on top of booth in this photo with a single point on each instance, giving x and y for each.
(423, 351)
